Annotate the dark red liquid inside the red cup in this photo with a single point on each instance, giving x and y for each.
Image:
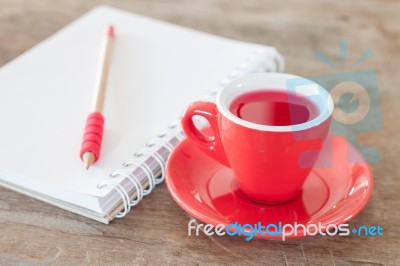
(273, 108)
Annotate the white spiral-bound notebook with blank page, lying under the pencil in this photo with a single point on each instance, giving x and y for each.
(156, 70)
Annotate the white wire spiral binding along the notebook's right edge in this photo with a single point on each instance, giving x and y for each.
(261, 60)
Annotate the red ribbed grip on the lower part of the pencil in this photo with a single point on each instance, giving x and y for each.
(93, 135)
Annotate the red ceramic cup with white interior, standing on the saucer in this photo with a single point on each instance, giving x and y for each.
(270, 162)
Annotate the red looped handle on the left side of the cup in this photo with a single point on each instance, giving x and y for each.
(211, 145)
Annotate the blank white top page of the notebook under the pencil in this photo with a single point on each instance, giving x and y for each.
(46, 94)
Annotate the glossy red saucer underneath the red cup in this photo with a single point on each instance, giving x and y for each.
(207, 190)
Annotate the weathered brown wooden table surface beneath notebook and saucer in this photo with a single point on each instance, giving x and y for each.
(155, 232)
